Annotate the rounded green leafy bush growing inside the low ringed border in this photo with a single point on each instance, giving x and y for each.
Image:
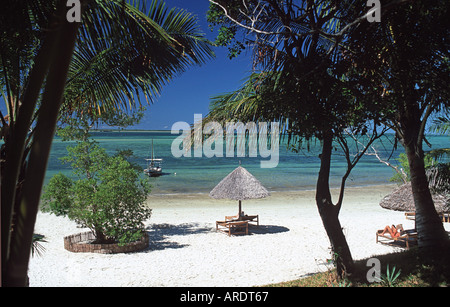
(108, 198)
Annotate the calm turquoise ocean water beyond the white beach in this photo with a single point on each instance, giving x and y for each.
(295, 171)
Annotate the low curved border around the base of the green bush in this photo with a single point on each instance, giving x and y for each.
(78, 243)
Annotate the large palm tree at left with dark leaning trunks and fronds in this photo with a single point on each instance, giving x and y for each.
(49, 65)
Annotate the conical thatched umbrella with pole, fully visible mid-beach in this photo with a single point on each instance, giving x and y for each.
(239, 185)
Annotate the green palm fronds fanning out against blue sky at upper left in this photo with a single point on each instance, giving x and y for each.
(138, 53)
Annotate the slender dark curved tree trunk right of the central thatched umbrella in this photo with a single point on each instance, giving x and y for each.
(330, 213)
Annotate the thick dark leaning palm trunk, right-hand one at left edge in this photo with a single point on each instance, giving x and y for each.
(21, 238)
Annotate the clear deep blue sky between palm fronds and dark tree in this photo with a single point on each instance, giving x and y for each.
(190, 93)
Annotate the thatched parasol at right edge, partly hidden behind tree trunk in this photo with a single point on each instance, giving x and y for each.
(401, 199)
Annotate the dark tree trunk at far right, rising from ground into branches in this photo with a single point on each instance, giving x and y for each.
(414, 109)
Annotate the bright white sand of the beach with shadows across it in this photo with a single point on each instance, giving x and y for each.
(185, 249)
